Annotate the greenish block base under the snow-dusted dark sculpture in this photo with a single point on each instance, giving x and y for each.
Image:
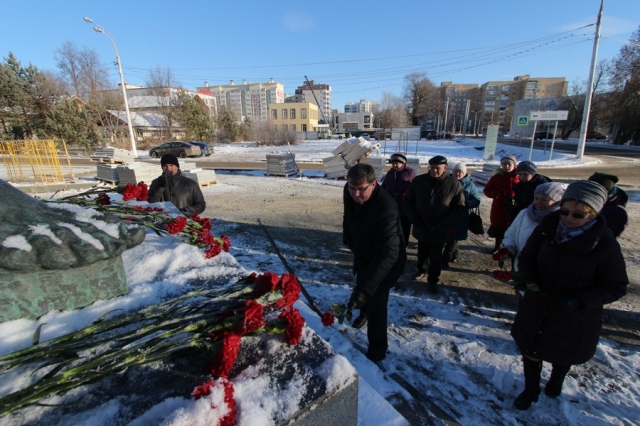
(33, 294)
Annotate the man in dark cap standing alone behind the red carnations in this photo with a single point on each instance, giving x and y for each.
(173, 186)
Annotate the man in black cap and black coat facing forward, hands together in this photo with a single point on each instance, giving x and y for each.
(434, 204)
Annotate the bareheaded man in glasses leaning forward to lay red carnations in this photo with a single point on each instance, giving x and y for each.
(371, 229)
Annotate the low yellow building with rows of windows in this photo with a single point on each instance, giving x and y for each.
(293, 117)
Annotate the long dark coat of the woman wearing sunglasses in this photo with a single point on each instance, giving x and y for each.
(589, 268)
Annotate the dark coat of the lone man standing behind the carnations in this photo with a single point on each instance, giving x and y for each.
(184, 193)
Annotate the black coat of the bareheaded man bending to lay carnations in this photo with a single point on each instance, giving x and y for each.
(373, 233)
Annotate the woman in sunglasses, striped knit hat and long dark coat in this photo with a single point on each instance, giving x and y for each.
(573, 266)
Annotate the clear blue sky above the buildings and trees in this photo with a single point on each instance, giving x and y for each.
(361, 49)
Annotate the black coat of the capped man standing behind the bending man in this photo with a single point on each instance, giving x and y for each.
(434, 206)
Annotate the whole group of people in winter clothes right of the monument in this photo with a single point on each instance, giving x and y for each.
(562, 241)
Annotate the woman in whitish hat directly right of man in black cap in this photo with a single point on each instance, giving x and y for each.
(471, 201)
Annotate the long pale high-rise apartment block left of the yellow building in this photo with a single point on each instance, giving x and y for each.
(248, 100)
